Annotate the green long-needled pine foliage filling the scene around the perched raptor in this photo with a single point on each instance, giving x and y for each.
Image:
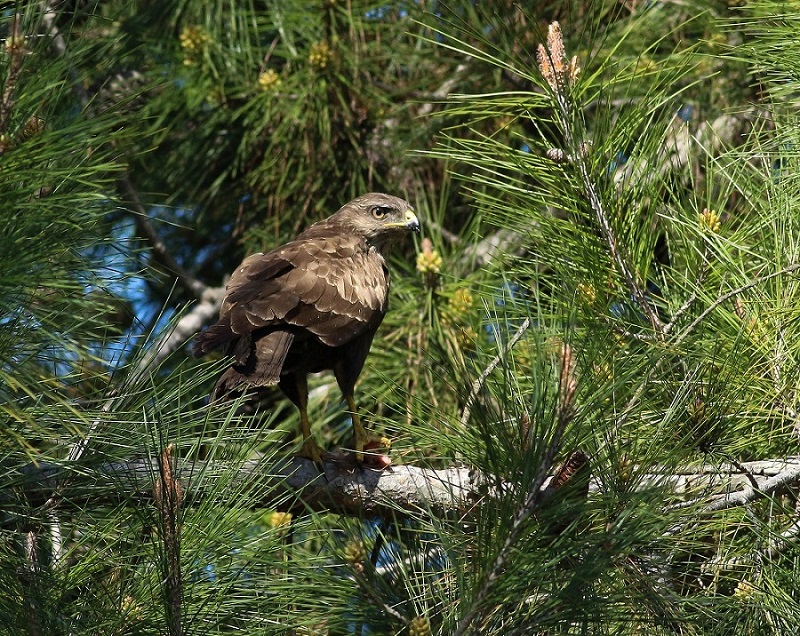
(605, 294)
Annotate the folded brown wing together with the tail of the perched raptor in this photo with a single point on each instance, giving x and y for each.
(329, 284)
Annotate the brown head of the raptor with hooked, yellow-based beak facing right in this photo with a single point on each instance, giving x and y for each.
(380, 218)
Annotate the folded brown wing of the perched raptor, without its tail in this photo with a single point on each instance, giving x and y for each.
(326, 285)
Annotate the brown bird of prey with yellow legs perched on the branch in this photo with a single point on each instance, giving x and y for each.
(310, 305)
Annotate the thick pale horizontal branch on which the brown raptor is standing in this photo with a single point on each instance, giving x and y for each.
(296, 484)
